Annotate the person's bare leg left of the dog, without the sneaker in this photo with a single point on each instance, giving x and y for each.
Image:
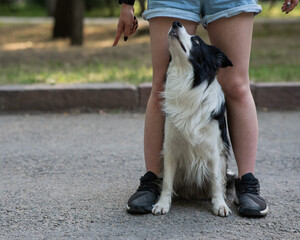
(154, 119)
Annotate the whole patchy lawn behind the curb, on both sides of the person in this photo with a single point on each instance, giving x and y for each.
(275, 55)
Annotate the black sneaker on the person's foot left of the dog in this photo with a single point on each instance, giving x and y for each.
(146, 195)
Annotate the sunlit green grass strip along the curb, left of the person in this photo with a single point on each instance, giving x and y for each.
(59, 73)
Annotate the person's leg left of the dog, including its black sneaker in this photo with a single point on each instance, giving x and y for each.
(147, 194)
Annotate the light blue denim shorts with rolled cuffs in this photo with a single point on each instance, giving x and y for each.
(200, 11)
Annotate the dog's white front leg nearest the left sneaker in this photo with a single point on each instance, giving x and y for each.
(170, 165)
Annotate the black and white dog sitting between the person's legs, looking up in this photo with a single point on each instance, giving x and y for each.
(196, 145)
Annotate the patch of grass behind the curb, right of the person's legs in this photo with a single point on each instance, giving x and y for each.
(275, 53)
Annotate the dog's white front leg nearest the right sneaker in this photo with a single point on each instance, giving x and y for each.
(220, 207)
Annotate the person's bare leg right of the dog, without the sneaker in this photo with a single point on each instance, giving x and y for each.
(233, 36)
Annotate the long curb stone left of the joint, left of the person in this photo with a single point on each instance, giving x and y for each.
(64, 97)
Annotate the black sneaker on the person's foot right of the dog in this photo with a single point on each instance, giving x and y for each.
(251, 204)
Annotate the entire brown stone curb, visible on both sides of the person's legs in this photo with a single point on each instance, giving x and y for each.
(122, 96)
